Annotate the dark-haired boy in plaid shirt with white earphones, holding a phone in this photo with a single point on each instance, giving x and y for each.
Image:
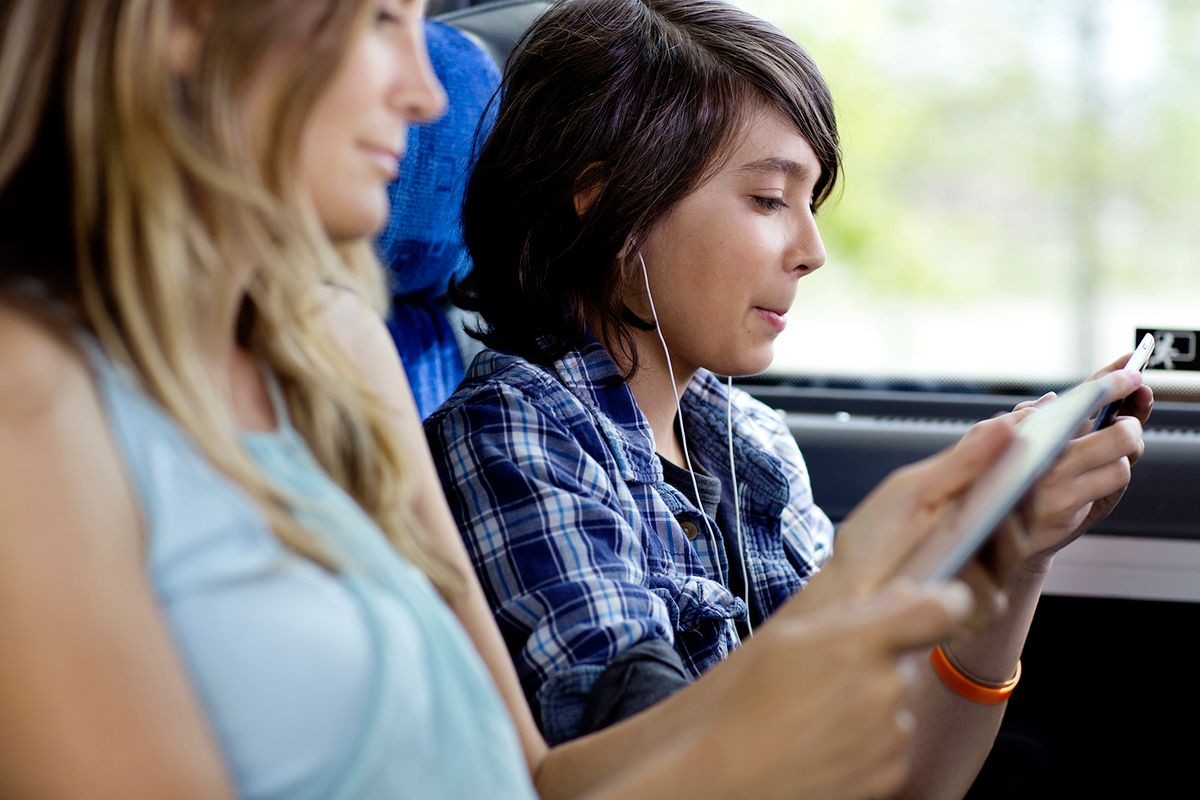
(639, 220)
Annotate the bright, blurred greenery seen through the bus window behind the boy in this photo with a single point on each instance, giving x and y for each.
(1022, 189)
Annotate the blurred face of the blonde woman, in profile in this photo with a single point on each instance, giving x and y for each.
(355, 139)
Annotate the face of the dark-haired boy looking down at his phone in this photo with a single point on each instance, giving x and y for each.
(724, 263)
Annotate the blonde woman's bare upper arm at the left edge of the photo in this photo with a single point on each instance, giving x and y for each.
(94, 701)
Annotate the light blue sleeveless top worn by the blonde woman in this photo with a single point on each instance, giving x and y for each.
(358, 685)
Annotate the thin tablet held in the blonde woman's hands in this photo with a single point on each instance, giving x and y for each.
(1035, 448)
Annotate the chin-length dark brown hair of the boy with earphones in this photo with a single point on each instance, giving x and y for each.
(633, 105)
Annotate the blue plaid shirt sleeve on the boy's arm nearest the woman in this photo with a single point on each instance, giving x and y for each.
(559, 555)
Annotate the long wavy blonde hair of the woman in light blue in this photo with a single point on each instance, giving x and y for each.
(166, 181)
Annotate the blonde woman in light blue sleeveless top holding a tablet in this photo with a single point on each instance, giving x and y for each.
(215, 503)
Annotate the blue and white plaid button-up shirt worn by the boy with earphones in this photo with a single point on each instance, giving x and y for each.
(581, 546)
